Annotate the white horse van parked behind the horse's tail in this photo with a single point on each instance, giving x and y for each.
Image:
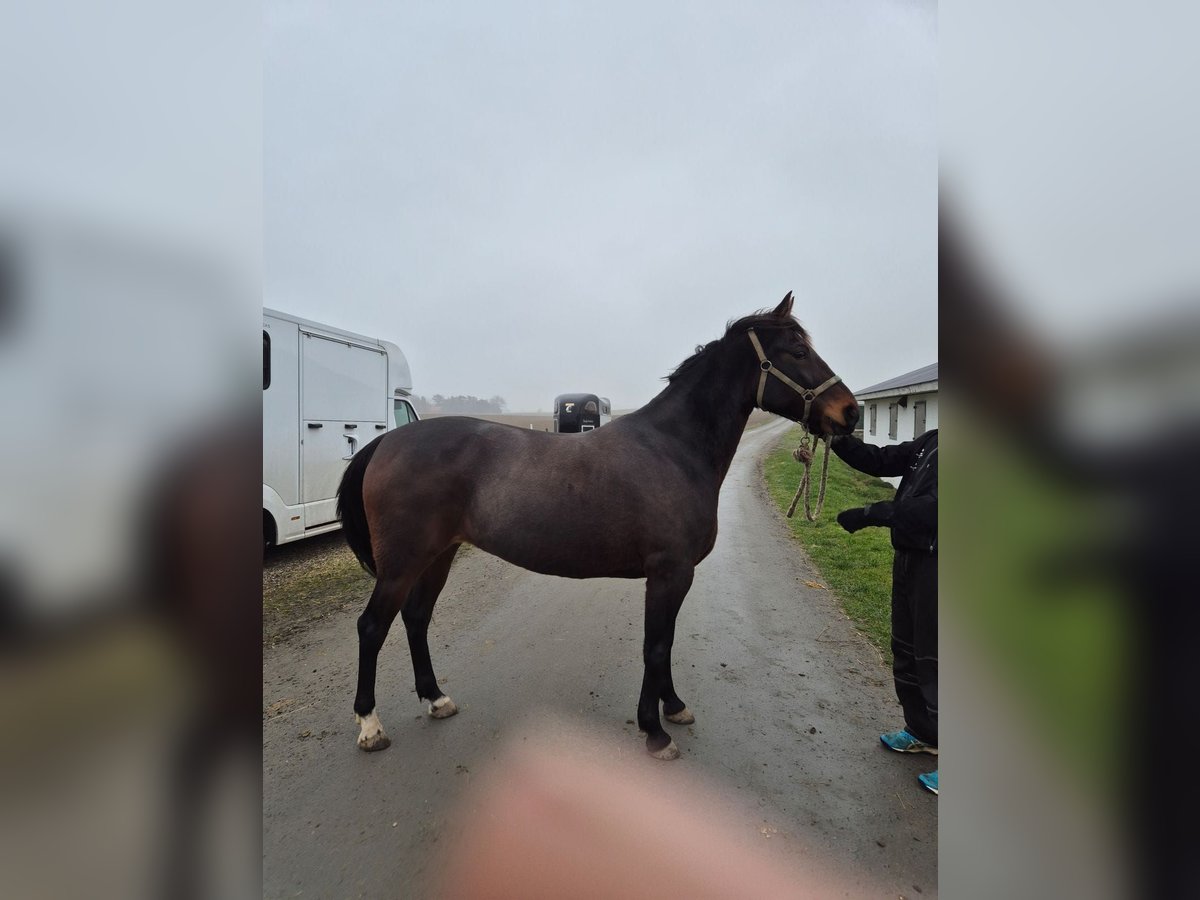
(326, 394)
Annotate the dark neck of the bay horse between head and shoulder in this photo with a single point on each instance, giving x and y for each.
(706, 411)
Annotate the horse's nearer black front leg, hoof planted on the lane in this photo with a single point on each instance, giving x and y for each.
(665, 591)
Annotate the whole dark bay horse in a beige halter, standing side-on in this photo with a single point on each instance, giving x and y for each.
(412, 496)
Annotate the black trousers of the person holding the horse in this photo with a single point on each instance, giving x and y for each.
(915, 641)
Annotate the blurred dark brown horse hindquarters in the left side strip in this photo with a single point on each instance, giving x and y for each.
(201, 580)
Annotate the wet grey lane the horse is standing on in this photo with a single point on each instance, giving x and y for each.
(789, 701)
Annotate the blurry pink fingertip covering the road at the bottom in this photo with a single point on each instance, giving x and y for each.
(561, 814)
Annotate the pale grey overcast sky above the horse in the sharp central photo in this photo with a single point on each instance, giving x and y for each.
(542, 199)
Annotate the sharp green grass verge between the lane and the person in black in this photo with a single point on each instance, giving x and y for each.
(856, 567)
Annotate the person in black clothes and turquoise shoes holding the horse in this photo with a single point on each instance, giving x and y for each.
(913, 518)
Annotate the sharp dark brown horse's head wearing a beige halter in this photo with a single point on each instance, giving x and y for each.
(794, 381)
